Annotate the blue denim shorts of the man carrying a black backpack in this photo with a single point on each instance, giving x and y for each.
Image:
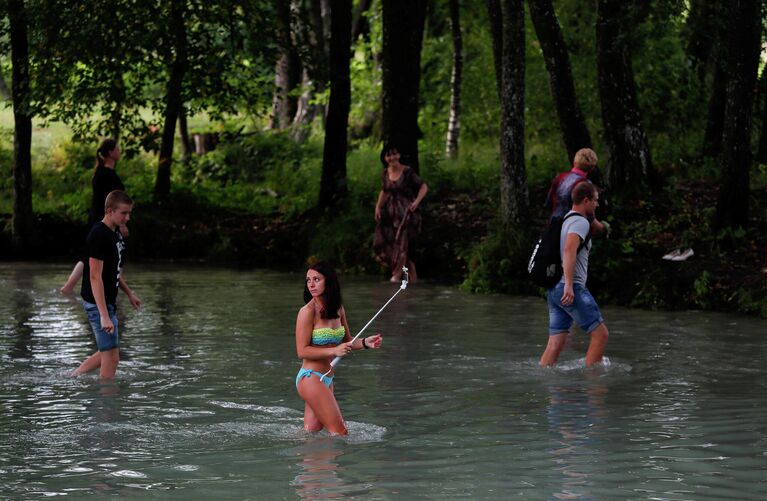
(583, 310)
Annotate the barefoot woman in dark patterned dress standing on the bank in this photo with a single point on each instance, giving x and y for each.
(398, 220)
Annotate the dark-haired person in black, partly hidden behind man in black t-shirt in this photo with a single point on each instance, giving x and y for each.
(105, 180)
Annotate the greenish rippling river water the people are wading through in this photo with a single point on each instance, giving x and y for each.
(452, 406)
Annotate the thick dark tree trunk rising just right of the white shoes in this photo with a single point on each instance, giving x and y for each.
(742, 64)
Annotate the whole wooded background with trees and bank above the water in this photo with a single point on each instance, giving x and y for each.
(252, 130)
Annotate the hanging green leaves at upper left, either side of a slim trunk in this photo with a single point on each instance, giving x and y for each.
(102, 67)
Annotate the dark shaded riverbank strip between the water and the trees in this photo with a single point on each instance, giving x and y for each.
(458, 245)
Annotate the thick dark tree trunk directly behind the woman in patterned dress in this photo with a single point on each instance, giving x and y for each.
(403, 26)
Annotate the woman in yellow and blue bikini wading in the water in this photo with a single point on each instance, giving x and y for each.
(322, 334)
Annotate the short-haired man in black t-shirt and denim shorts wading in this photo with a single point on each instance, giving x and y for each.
(101, 279)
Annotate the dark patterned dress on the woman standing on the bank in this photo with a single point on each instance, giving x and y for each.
(398, 227)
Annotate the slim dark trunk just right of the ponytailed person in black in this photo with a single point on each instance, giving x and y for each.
(173, 98)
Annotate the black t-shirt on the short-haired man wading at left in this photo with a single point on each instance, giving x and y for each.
(105, 245)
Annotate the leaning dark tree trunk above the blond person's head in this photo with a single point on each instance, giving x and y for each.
(571, 122)
